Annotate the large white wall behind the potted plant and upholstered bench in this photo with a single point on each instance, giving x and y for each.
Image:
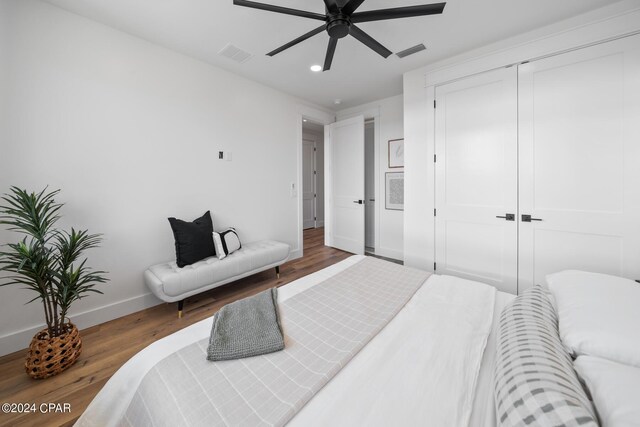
(130, 132)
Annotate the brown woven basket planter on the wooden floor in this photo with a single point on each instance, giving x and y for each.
(50, 356)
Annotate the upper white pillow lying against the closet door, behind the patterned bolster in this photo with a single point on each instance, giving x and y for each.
(599, 315)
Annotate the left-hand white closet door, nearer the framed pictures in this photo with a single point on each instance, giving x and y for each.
(476, 178)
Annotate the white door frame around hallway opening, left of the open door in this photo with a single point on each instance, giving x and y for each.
(324, 118)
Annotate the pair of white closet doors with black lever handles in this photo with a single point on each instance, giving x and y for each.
(553, 142)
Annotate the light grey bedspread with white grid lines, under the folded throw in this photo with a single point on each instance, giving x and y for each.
(324, 327)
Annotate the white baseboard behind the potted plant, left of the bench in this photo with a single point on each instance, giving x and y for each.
(20, 340)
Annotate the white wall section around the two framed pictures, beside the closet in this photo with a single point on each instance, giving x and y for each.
(389, 119)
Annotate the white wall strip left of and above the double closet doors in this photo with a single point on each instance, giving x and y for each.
(609, 22)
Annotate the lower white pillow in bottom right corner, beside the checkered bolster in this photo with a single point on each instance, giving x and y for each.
(614, 388)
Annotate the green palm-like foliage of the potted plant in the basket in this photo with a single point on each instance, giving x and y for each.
(43, 261)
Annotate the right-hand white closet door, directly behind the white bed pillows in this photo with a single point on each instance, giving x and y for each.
(579, 135)
